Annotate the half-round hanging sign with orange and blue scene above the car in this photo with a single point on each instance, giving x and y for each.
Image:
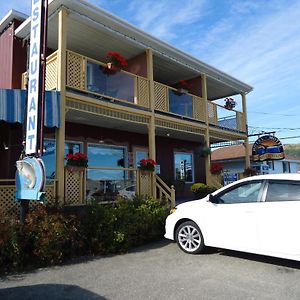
(267, 147)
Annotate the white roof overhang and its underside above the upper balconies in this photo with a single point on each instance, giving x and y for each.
(90, 25)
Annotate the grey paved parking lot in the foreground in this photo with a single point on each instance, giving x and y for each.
(161, 271)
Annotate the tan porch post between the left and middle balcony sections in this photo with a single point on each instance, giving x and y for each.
(151, 125)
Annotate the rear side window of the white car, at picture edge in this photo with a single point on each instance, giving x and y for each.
(283, 191)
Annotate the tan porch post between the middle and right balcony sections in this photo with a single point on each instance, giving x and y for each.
(207, 136)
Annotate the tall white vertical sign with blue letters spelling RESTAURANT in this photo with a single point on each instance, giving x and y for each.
(34, 77)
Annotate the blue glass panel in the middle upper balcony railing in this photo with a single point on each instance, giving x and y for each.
(181, 105)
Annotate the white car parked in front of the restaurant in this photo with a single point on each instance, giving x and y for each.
(259, 214)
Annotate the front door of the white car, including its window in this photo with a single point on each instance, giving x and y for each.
(232, 222)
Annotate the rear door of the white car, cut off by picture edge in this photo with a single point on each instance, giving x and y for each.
(279, 220)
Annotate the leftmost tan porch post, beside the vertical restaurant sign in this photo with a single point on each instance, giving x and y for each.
(61, 85)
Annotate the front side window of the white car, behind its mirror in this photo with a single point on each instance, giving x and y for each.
(245, 193)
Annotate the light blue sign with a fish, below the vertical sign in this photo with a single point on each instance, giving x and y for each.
(30, 179)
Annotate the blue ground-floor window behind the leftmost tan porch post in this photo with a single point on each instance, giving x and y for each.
(49, 156)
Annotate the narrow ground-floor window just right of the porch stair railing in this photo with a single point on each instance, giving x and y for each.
(184, 169)
